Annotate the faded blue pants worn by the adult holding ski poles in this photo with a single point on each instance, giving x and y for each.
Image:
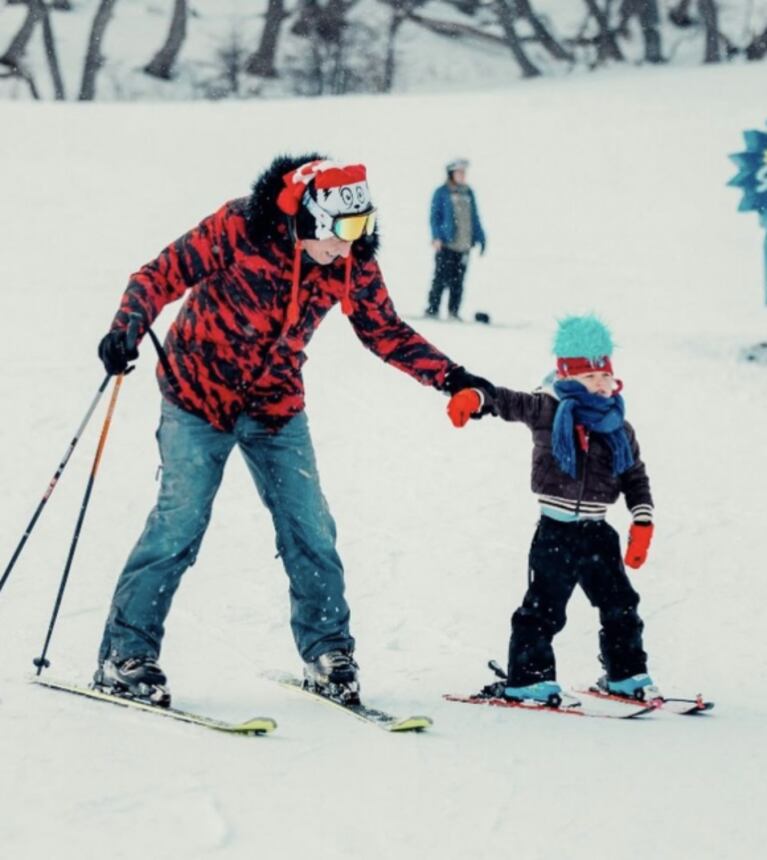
(282, 464)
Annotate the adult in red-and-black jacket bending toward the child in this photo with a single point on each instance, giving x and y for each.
(259, 276)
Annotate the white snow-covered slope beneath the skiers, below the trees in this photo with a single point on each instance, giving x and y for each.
(603, 194)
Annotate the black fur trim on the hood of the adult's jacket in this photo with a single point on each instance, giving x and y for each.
(266, 221)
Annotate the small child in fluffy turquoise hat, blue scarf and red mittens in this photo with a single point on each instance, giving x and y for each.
(584, 456)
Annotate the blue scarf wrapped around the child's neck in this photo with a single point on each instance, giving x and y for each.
(596, 413)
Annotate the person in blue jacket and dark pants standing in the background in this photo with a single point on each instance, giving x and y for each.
(455, 230)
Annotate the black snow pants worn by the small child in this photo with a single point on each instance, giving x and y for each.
(562, 556)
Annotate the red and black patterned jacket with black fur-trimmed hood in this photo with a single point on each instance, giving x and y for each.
(229, 347)
